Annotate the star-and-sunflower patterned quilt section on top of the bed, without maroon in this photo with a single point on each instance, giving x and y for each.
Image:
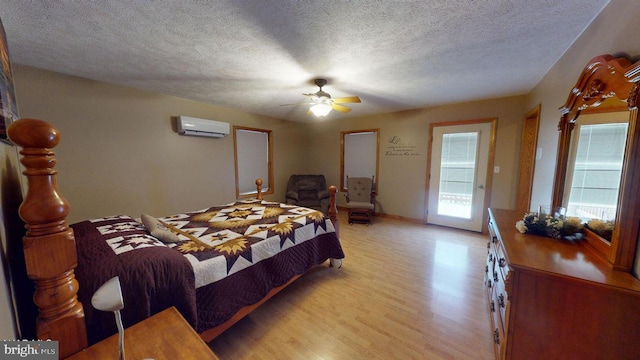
(222, 240)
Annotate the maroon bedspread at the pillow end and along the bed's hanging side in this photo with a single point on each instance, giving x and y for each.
(154, 276)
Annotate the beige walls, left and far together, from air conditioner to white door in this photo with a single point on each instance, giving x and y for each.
(119, 152)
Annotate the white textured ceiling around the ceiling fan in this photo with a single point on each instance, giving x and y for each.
(254, 55)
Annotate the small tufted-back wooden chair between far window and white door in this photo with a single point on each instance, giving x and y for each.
(360, 199)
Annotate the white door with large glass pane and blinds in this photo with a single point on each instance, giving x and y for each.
(458, 173)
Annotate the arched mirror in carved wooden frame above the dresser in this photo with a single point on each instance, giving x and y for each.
(607, 89)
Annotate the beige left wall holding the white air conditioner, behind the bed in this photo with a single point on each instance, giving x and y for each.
(120, 154)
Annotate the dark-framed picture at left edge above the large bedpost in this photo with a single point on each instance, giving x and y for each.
(8, 106)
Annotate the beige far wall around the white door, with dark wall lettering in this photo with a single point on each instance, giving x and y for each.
(402, 179)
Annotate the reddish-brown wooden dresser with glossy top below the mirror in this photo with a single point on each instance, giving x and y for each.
(554, 299)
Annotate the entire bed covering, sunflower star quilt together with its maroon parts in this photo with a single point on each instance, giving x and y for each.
(227, 257)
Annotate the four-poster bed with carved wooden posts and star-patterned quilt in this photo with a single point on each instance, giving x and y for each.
(215, 265)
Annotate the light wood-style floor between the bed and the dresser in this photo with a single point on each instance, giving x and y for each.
(405, 291)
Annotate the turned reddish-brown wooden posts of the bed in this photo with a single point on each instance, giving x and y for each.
(49, 243)
